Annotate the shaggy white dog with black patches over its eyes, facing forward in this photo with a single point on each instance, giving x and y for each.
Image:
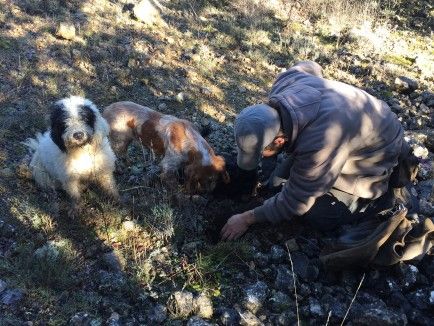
(75, 150)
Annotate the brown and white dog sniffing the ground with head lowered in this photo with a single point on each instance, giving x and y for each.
(174, 139)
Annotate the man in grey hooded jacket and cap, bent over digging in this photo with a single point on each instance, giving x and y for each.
(341, 143)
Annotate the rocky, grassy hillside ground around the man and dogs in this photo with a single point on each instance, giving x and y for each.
(155, 258)
